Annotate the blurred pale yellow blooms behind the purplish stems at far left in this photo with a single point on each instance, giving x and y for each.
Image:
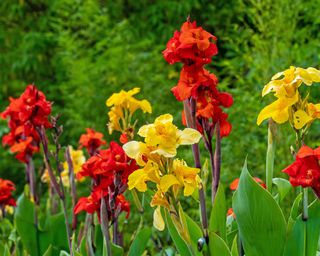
(77, 158)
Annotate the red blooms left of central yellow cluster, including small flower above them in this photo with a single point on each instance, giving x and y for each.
(109, 169)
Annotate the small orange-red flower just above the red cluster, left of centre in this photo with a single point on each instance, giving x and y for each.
(92, 141)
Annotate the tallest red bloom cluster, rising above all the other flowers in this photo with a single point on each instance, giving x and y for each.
(194, 47)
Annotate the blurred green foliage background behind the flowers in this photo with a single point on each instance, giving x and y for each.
(80, 52)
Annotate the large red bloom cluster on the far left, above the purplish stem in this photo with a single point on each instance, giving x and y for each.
(25, 114)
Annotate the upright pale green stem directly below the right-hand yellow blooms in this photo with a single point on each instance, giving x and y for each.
(270, 154)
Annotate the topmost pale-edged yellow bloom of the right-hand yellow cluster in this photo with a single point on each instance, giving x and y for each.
(292, 79)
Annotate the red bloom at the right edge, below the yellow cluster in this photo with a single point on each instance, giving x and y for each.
(305, 171)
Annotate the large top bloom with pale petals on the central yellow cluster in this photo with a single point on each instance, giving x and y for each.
(165, 137)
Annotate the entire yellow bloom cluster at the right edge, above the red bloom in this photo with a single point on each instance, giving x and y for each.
(289, 105)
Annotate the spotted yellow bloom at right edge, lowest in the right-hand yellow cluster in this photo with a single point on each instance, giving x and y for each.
(301, 117)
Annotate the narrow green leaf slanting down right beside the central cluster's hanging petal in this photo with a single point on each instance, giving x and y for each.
(179, 242)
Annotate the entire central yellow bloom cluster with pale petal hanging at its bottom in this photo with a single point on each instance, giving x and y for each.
(156, 157)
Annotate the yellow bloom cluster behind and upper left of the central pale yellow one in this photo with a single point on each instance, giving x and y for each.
(123, 105)
